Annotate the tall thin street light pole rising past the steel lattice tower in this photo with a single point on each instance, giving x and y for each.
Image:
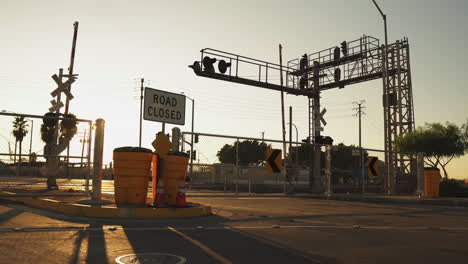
(387, 105)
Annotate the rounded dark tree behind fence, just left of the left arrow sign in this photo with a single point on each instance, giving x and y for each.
(251, 153)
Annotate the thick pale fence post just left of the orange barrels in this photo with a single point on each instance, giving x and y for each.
(97, 160)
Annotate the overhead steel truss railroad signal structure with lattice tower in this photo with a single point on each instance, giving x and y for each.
(357, 61)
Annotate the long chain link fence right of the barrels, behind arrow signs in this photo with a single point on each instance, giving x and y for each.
(237, 164)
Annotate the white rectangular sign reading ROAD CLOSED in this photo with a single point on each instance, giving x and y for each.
(164, 107)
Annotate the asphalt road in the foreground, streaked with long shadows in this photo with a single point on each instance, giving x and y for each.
(245, 230)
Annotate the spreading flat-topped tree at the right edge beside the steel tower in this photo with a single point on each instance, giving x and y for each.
(439, 143)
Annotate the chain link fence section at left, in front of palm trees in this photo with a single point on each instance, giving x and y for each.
(23, 167)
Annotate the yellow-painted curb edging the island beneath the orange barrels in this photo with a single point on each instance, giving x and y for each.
(111, 212)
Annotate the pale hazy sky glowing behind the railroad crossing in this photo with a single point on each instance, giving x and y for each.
(119, 41)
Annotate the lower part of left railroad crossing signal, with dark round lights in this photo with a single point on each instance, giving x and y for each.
(51, 130)
